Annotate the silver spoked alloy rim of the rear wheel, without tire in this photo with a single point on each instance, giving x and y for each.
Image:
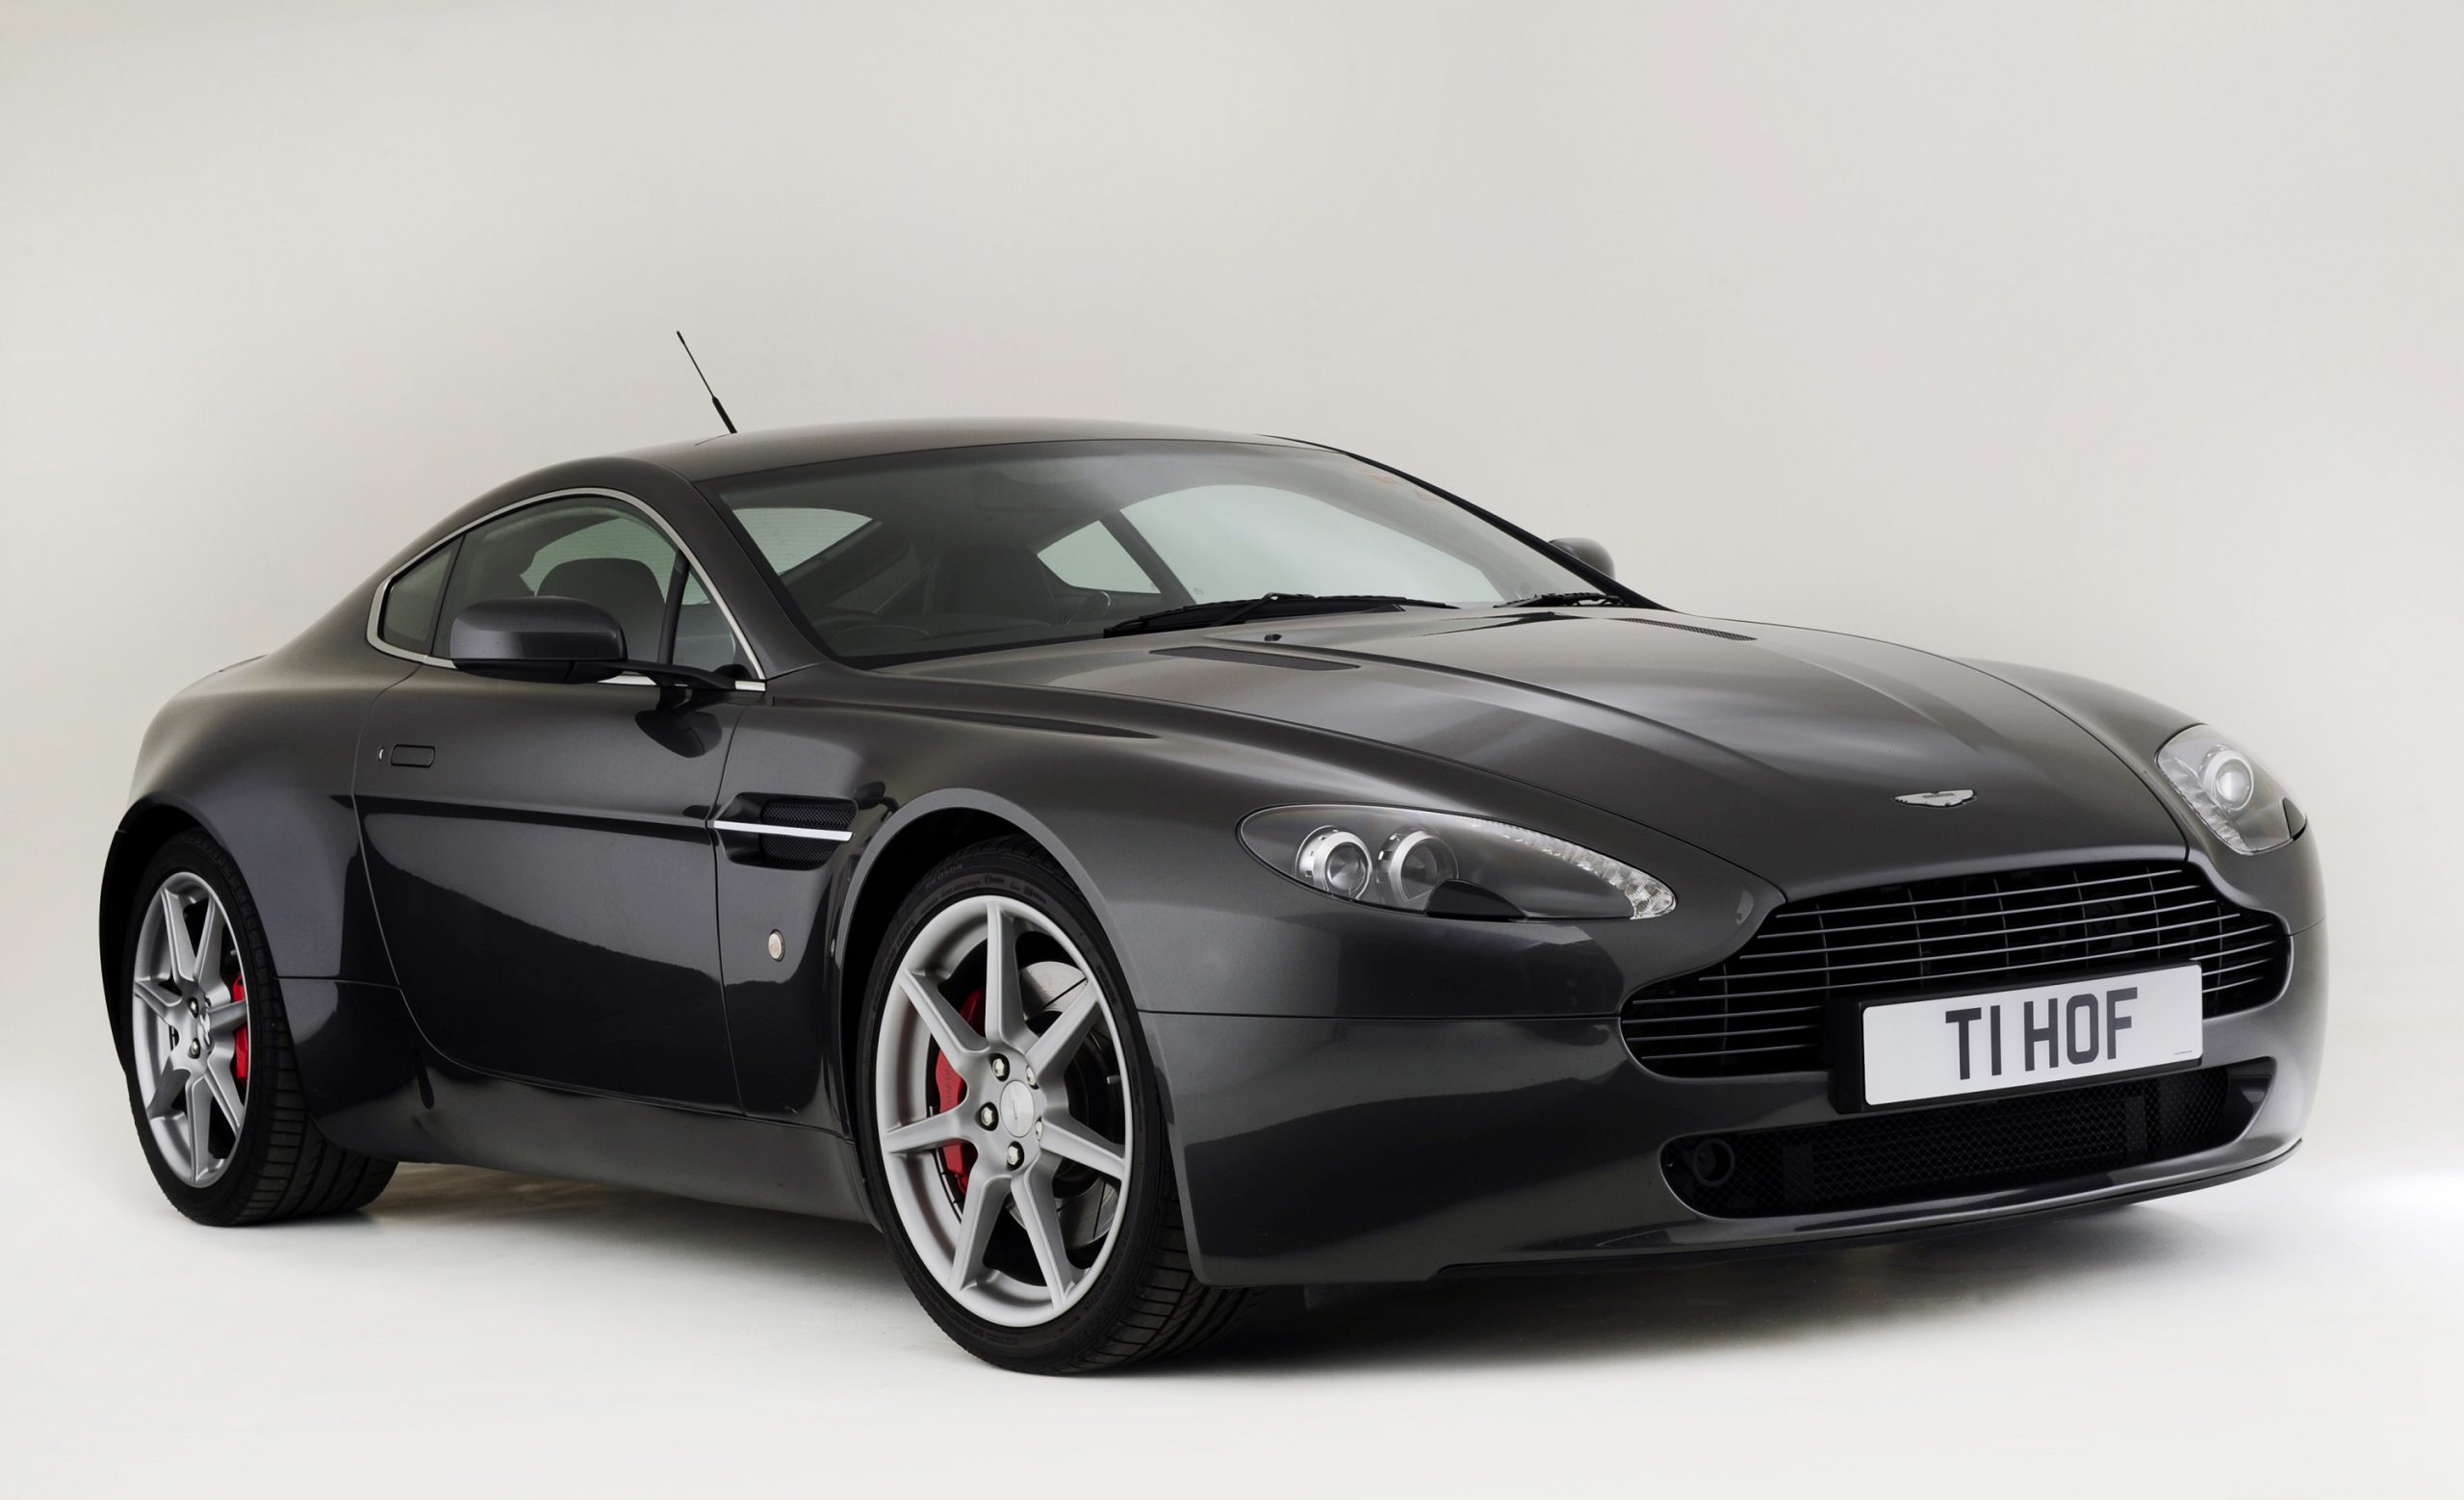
(188, 1016)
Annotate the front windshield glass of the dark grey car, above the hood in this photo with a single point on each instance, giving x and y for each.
(960, 550)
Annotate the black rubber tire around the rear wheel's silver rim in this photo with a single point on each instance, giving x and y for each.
(282, 1166)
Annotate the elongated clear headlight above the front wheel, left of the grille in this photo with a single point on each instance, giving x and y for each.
(1450, 866)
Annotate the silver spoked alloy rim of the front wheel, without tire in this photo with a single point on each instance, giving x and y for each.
(1007, 1139)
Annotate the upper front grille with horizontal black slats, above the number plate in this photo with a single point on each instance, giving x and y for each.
(1765, 1006)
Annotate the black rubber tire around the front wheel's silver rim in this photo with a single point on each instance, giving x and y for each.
(1147, 1302)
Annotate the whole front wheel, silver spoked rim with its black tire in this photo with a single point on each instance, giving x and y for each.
(1014, 1127)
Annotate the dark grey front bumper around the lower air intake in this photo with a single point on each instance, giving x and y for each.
(1354, 1151)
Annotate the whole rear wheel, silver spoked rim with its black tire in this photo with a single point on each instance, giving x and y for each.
(206, 1046)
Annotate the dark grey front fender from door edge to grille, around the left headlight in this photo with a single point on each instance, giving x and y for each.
(1145, 819)
